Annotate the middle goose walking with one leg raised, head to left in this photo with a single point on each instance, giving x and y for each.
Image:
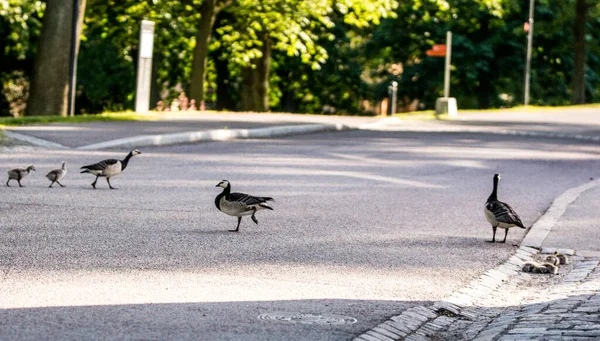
(239, 204)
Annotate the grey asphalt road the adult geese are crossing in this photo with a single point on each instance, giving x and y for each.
(365, 224)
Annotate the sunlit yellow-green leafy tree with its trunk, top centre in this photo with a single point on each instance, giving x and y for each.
(298, 30)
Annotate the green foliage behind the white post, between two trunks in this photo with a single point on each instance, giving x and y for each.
(109, 52)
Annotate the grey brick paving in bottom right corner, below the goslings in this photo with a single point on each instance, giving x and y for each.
(529, 307)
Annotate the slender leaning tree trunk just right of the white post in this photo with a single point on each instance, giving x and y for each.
(208, 12)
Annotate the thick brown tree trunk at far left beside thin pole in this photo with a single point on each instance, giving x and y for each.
(50, 81)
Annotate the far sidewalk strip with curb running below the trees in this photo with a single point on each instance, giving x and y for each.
(164, 129)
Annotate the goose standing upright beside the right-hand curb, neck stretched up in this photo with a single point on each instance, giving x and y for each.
(500, 214)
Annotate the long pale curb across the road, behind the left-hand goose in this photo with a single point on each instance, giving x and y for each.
(213, 135)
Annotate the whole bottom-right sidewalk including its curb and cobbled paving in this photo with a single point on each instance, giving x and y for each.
(507, 304)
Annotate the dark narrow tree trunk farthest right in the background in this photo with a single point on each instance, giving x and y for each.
(581, 9)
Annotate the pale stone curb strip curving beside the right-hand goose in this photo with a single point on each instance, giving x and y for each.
(417, 321)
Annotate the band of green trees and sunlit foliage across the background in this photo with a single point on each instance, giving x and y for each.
(315, 56)
